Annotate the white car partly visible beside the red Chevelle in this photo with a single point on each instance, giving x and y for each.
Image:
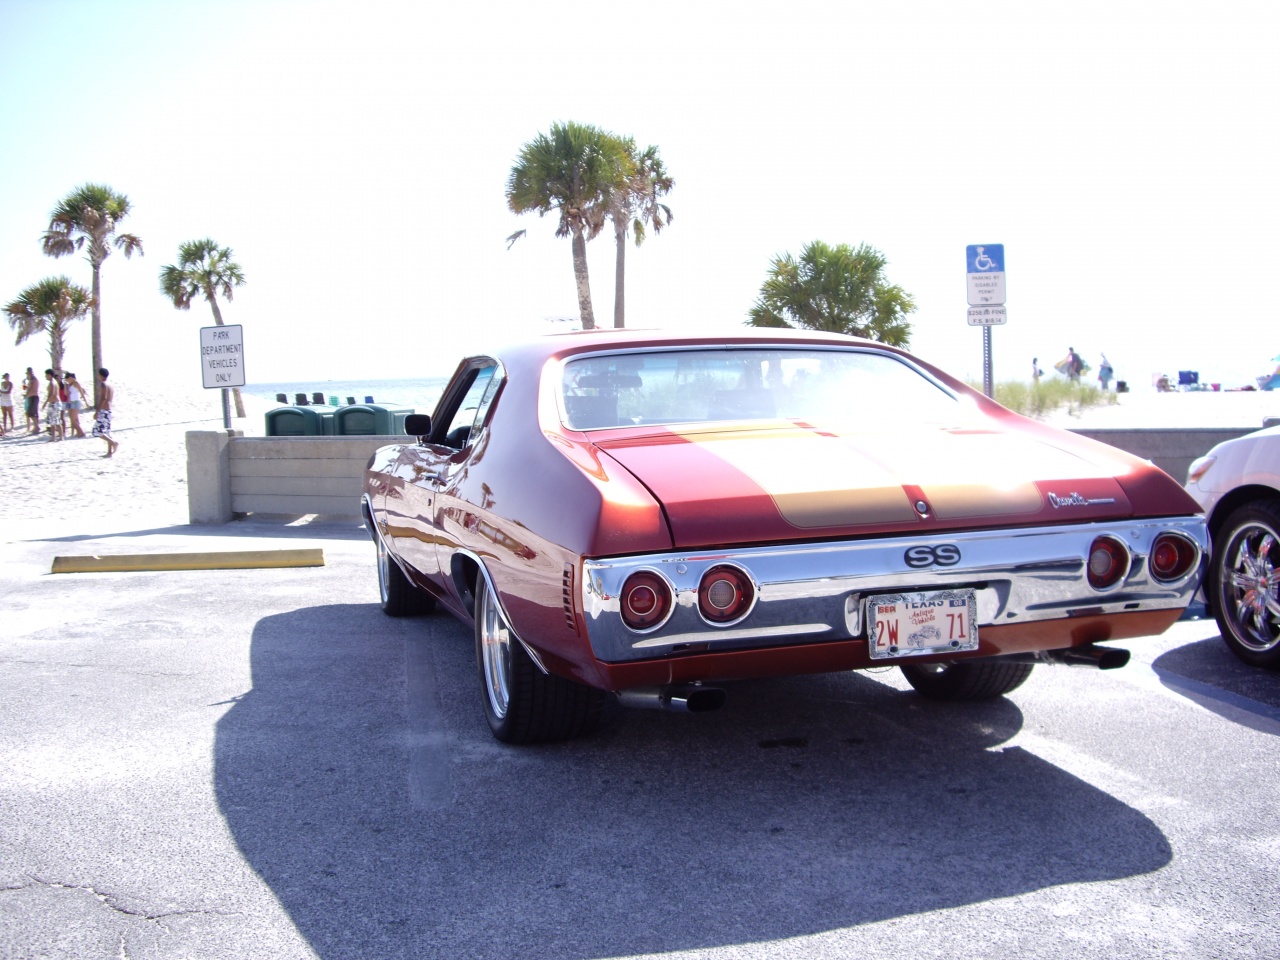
(1238, 486)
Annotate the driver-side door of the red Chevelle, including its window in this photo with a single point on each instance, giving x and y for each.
(431, 472)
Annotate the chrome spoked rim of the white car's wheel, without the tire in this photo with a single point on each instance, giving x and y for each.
(1251, 587)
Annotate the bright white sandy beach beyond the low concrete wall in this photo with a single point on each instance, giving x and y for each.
(58, 488)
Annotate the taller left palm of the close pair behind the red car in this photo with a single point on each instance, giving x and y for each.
(572, 171)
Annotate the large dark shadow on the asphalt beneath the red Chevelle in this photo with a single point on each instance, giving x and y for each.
(806, 806)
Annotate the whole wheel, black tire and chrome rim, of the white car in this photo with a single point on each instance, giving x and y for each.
(1244, 586)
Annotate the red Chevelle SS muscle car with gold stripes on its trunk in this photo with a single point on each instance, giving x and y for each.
(642, 515)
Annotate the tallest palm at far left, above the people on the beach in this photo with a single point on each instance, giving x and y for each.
(92, 213)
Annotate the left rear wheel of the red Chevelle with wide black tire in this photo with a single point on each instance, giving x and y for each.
(523, 705)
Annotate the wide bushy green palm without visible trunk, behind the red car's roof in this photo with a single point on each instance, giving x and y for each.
(838, 290)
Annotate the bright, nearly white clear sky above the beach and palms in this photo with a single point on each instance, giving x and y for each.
(355, 157)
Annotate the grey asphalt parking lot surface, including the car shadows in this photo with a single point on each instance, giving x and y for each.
(258, 764)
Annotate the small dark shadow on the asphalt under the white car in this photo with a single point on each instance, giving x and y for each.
(1210, 675)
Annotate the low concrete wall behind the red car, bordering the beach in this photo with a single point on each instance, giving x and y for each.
(228, 474)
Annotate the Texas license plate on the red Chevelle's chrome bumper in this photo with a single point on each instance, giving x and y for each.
(913, 625)
